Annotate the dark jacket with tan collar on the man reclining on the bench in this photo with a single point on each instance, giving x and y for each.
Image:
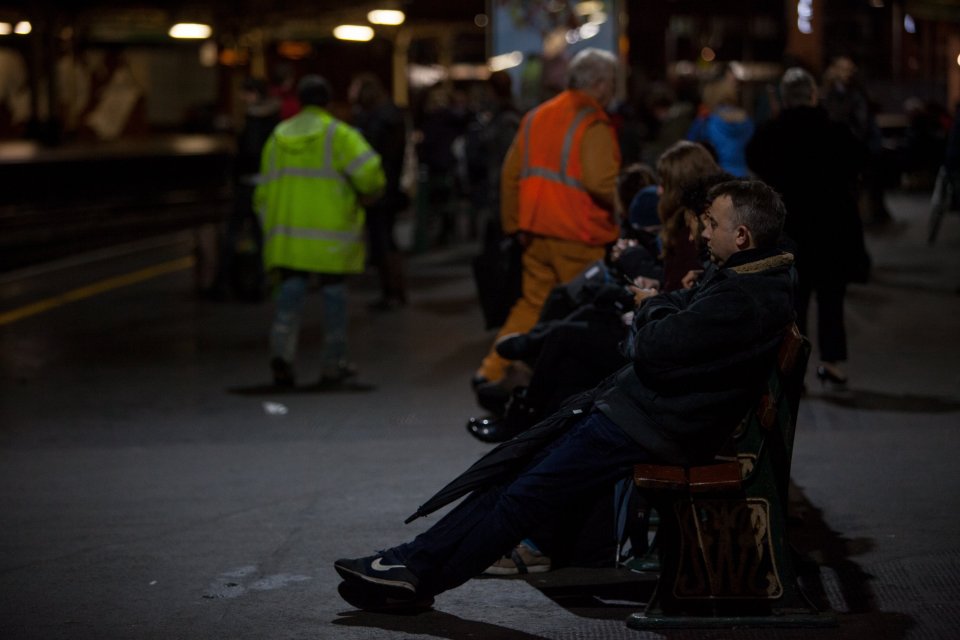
(700, 357)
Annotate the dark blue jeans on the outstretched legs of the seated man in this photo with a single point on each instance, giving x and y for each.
(589, 458)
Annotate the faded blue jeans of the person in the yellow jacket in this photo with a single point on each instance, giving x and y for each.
(288, 311)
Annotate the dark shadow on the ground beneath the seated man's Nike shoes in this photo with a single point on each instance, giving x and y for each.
(432, 623)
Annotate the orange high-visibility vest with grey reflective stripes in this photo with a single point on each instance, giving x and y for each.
(552, 199)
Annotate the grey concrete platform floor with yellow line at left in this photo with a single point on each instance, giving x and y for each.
(151, 488)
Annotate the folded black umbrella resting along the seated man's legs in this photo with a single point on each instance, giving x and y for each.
(507, 458)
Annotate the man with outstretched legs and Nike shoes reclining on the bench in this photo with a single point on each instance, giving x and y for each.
(699, 359)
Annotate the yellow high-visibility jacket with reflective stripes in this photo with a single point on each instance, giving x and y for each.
(312, 172)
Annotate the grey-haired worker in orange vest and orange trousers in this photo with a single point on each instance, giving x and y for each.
(557, 192)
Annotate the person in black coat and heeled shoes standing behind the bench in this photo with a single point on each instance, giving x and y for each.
(814, 164)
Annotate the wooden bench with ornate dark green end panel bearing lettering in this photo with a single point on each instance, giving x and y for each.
(724, 556)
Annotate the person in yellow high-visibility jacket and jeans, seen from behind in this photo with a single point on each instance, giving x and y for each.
(316, 173)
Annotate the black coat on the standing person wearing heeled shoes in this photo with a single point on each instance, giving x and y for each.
(814, 164)
